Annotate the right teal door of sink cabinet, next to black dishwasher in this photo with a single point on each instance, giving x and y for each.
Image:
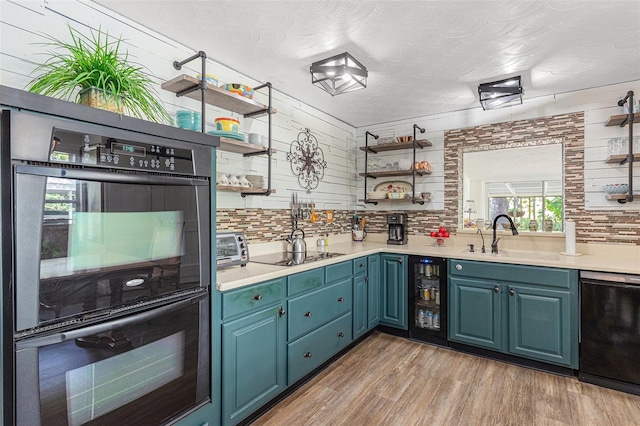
(539, 324)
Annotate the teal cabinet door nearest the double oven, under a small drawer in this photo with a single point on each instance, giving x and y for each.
(253, 362)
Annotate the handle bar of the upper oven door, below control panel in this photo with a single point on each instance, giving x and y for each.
(104, 176)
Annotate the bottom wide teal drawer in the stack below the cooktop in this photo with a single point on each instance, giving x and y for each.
(309, 352)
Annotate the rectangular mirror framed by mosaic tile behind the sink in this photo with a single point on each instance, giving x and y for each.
(523, 182)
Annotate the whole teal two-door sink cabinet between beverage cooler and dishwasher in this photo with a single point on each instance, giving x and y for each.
(525, 311)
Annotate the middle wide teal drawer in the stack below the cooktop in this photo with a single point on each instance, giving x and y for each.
(312, 310)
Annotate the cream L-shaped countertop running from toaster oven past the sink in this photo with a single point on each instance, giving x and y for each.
(624, 260)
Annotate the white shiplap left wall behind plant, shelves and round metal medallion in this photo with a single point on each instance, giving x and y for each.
(24, 23)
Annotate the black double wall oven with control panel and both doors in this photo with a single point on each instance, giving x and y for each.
(111, 273)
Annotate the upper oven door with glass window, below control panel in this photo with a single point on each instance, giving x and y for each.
(92, 241)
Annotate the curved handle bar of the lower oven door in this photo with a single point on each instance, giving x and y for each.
(53, 339)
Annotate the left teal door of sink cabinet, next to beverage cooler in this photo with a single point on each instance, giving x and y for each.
(475, 312)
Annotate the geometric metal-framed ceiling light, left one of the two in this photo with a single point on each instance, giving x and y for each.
(339, 74)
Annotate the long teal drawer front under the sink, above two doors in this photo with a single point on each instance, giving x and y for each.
(551, 277)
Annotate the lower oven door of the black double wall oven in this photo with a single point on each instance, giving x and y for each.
(143, 369)
